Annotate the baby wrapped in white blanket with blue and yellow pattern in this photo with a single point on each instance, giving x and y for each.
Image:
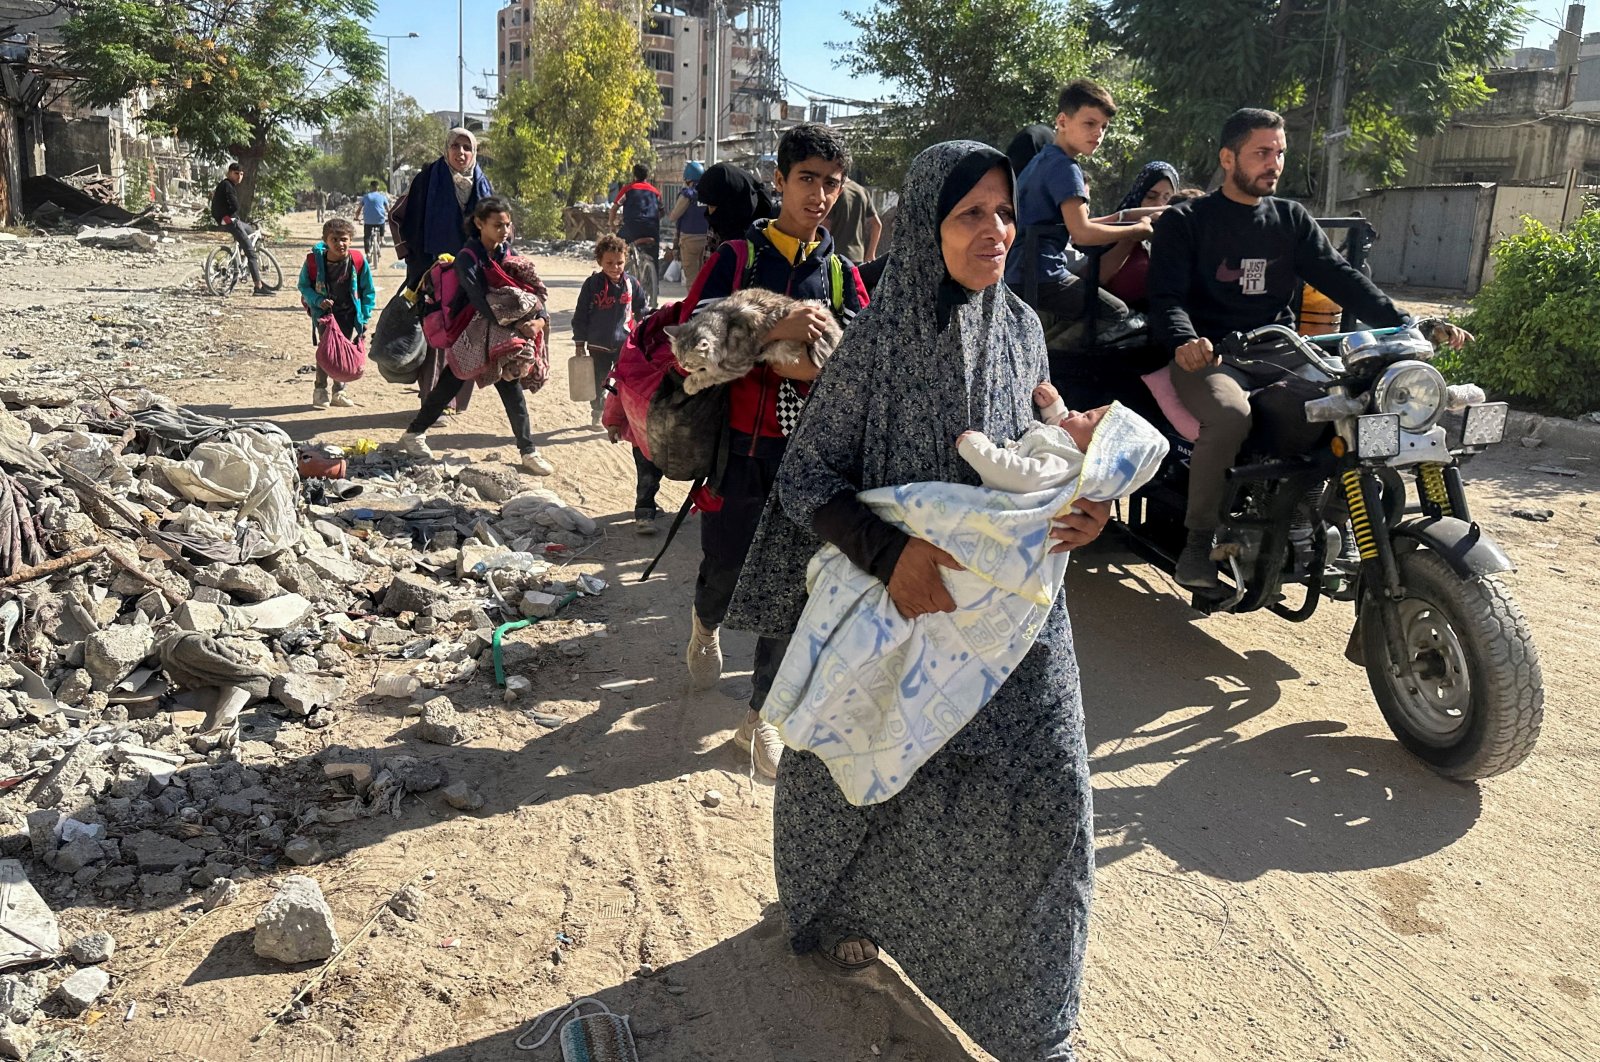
(874, 695)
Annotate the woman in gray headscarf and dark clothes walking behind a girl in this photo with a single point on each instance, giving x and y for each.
(434, 222)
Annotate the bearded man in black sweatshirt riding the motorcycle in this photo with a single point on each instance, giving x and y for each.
(1233, 262)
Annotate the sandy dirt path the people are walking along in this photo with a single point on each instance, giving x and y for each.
(1279, 880)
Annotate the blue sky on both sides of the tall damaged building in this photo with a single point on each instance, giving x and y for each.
(426, 68)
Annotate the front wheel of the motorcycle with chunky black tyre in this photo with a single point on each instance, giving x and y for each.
(1468, 700)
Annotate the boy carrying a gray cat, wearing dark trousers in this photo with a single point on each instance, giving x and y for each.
(790, 255)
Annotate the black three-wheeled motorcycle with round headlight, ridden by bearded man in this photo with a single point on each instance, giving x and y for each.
(1377, 517)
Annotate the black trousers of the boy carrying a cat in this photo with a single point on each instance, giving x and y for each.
(726, 541)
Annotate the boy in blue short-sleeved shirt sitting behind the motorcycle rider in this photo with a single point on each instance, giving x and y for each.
(1054, 217)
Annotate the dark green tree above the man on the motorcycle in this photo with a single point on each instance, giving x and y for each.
(1410, 66)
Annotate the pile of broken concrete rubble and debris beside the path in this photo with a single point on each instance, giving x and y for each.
(180, 607)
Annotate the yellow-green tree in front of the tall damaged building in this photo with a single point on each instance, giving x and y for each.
(585, 116)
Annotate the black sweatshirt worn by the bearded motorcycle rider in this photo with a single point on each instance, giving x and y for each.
(1218, 266)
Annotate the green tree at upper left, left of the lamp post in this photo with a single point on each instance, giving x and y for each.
(231, 78)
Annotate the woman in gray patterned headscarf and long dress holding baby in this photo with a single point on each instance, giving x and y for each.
(977, 877)
